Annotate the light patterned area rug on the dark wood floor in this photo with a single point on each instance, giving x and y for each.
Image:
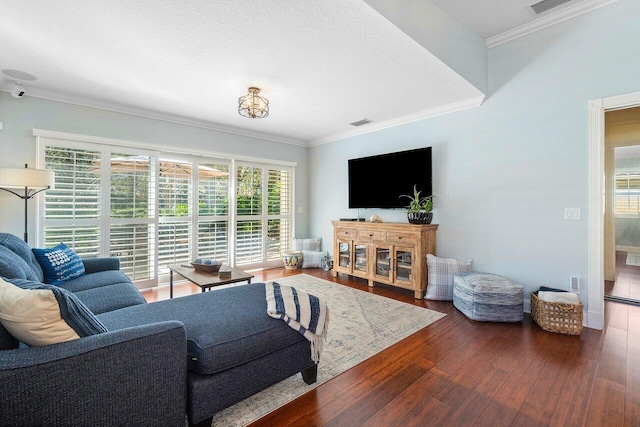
(361, 325)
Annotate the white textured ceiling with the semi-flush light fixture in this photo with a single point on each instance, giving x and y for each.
(321, 64)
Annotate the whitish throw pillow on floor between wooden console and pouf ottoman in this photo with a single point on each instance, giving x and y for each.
(440, 273)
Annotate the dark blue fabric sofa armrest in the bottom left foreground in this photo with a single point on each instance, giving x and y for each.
(134, 376)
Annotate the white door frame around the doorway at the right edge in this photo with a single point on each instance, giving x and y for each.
(597, 108)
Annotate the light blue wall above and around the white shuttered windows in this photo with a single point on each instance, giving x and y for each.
(17, 145)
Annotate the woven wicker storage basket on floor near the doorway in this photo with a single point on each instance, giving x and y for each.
(557, 317)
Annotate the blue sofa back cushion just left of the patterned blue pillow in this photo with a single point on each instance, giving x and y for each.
(16, 259)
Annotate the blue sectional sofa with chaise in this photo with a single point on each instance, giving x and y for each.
(193, 355)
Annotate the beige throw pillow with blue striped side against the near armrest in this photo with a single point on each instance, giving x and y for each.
(39, 314)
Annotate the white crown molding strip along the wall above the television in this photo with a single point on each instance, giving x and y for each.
(372, 127)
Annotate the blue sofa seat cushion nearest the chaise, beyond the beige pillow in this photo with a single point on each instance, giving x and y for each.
(111, 297)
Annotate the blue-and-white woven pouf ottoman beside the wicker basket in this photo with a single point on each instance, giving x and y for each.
(488, 297)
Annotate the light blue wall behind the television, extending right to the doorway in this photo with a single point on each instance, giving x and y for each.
(505, 171)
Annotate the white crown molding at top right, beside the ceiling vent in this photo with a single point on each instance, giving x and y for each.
(547, 21)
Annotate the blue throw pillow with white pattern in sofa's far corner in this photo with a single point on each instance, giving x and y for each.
(59, 264)
